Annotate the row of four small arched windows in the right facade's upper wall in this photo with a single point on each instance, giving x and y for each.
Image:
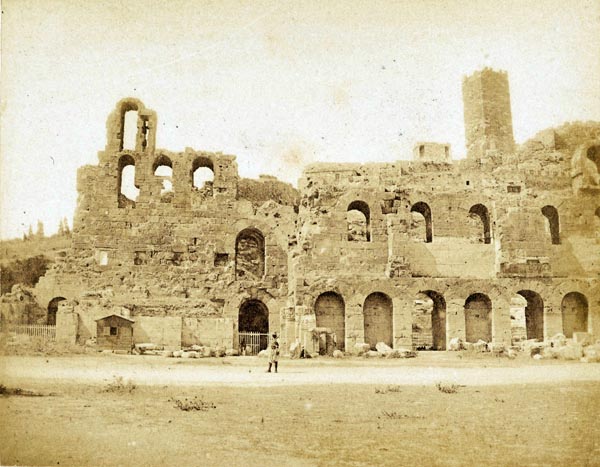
(358, 219)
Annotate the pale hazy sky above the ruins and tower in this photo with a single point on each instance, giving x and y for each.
(279, 84)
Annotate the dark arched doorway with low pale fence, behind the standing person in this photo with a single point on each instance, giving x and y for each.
(253, 327)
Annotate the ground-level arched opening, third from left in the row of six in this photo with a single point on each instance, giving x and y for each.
(429, 321)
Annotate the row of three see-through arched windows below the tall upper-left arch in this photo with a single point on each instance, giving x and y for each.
(201, 175)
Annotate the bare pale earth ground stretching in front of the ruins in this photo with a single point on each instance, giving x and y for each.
(351, 412)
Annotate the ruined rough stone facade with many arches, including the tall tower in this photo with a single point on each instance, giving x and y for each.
(503, 245)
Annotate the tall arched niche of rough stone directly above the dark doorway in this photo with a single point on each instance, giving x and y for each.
(250, 255)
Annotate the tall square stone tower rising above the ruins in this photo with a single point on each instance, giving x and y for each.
(488, 120)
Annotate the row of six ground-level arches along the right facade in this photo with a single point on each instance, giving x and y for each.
(430, 329)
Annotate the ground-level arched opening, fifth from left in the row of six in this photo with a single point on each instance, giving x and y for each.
(526, 316)
